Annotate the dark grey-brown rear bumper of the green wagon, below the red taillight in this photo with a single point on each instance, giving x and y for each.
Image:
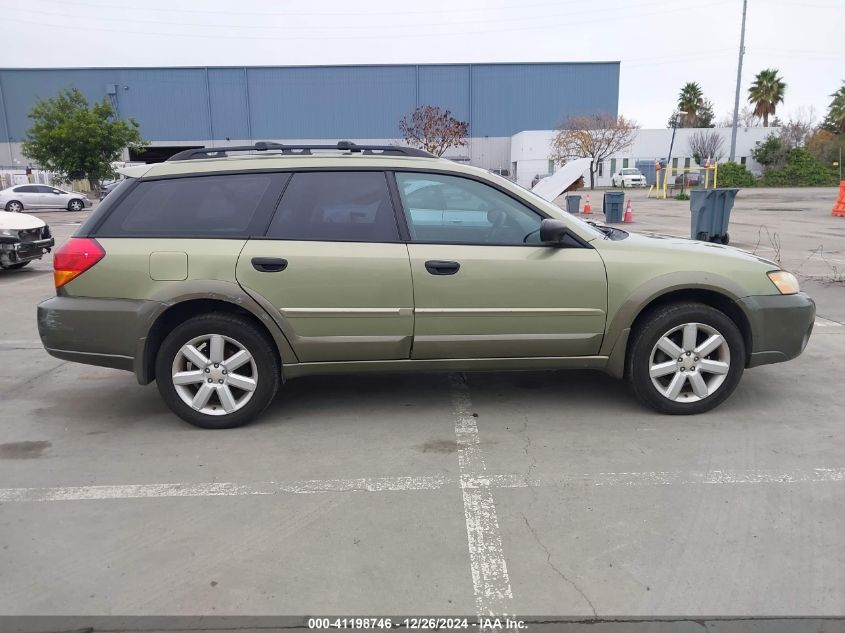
(103, 332)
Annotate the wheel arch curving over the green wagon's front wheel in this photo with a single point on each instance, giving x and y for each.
(718, 298)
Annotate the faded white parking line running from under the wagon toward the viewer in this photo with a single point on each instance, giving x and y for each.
(487, 561)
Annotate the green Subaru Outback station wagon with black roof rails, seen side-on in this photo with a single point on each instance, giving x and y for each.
(220, 274)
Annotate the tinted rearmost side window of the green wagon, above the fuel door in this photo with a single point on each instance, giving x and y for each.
(203, 206)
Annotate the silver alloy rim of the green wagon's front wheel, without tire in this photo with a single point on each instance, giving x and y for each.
(690, 362)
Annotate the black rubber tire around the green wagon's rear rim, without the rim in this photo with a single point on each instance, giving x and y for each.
(256, 341)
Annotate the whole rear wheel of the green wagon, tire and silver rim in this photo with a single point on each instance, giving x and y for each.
(217, 371)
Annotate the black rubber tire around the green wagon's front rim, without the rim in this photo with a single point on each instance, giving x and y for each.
(653, 327)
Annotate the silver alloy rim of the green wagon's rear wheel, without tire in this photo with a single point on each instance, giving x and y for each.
(214, 374)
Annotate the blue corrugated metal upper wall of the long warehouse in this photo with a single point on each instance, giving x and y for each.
(186, 104)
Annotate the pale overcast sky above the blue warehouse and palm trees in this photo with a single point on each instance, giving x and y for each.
(661, 44)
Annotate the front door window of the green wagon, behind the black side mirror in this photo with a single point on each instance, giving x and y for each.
(451, 209)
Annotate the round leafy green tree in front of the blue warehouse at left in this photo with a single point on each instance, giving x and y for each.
(76, 139)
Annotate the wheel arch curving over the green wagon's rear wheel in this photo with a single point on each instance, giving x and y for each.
(179, 311)
